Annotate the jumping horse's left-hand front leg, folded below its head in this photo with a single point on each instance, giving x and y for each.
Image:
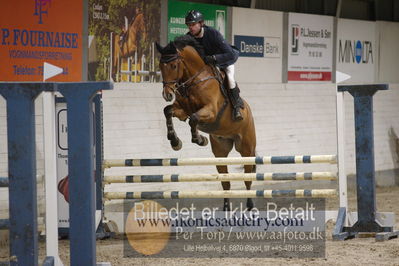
(170, 111)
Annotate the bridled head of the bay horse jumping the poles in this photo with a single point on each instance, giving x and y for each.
(171, 69)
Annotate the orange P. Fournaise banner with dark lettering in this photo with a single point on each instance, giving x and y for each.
(37, 31)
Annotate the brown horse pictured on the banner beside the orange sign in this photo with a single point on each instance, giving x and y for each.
(123, 49)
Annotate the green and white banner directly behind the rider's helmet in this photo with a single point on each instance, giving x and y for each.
(215, 16)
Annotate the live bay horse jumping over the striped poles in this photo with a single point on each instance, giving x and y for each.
(199, 96)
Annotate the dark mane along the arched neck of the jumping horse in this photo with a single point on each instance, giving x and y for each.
(170, 50)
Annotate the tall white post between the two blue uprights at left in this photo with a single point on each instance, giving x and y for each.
(50, 173)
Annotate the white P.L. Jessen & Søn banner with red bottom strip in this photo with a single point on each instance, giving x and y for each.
(310, 48)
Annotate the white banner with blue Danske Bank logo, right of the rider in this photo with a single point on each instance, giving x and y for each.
(259, 41)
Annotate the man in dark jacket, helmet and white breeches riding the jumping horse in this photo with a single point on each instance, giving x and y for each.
(218, 52)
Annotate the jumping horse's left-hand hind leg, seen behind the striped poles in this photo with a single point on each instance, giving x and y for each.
(221, 147)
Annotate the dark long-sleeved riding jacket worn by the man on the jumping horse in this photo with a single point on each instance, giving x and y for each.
(214, 44)
